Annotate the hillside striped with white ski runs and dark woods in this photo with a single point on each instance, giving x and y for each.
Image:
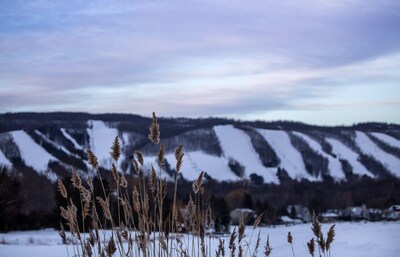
(224, 149)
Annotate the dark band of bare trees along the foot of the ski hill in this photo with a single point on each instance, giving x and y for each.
(32, 202)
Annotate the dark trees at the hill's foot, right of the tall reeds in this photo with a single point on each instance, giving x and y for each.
(273, 199)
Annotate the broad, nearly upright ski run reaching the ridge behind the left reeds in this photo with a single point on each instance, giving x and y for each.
(101, 140)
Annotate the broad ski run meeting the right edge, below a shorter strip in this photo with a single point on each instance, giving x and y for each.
(367, 146)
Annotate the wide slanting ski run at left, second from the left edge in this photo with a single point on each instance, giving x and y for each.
(33, 154)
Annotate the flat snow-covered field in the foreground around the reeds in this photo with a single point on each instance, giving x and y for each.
(380, 239)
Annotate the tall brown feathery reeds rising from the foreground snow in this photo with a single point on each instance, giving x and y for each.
(140, 227)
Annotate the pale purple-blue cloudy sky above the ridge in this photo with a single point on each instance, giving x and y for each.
(315, 61)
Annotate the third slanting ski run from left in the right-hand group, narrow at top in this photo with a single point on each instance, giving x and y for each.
(334, 165)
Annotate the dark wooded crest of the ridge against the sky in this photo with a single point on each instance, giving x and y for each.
(171, 126)
